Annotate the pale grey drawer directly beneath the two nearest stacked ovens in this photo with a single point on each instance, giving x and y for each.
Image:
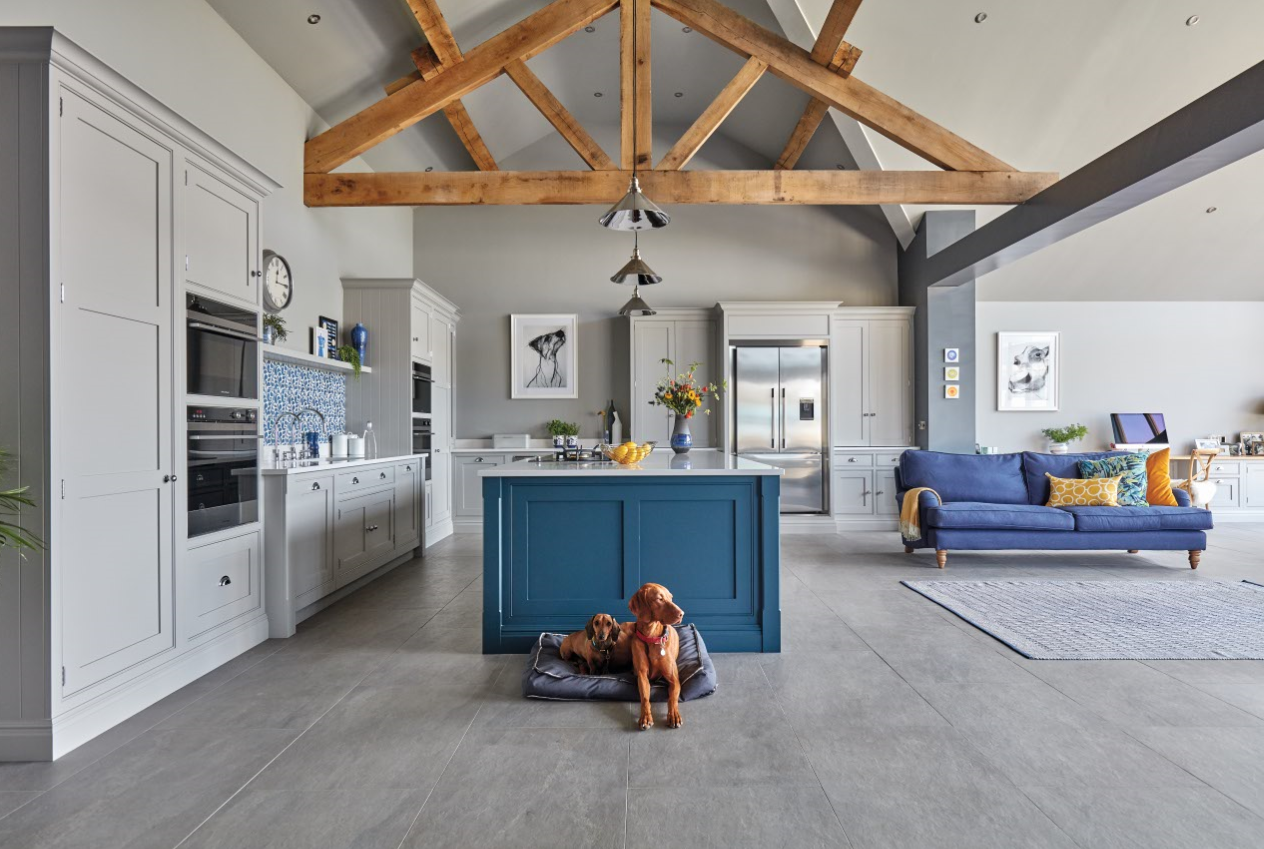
(224, 581)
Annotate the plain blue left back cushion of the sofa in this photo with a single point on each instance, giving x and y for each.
(992, 478)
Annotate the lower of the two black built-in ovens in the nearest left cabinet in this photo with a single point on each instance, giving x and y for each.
(223, 468)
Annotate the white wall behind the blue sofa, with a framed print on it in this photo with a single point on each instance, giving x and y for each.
(1201, 366)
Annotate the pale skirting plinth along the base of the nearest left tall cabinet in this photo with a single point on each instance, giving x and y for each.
(80, 725)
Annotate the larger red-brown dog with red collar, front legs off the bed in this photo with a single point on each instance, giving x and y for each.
(654, 647)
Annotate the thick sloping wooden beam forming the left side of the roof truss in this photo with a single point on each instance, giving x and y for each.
(409, 105)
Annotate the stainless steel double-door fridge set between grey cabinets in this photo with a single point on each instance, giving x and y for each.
(781, 419)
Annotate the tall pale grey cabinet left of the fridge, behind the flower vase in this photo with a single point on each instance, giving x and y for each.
(683, 337)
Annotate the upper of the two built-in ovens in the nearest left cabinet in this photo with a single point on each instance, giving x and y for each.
(223, 349)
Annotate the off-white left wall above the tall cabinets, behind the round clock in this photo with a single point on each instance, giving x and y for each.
(188, 57)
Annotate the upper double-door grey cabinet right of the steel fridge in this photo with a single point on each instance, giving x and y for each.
(872, 377)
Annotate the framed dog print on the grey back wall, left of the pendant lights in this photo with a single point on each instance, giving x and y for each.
(544, 357)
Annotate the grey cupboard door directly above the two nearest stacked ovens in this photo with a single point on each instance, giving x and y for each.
(222, 234)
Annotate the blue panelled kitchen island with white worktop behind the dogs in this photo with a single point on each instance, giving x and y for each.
(563, 541)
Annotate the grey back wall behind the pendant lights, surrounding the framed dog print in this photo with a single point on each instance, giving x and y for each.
(494, 262)
